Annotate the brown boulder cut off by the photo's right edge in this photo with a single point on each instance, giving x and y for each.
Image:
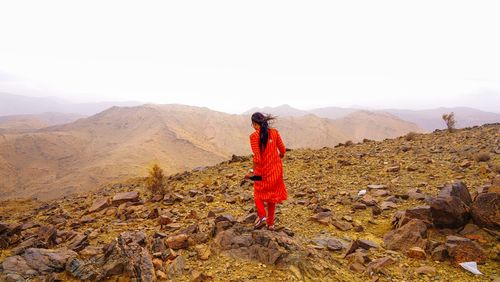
(486, 210)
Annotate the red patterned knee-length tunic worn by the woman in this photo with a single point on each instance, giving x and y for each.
(268, 165)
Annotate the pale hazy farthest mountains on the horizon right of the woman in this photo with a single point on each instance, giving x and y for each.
(426, 119)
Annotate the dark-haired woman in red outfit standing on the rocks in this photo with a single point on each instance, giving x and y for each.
(268, 150)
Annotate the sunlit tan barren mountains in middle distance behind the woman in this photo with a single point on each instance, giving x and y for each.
(122, 142)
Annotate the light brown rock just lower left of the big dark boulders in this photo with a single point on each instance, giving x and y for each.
(412, 234)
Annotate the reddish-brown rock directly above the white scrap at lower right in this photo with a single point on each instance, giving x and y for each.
(462, 250)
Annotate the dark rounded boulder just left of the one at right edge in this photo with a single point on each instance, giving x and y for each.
(449, 212)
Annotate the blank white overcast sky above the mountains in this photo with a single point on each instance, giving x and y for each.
(233, 55)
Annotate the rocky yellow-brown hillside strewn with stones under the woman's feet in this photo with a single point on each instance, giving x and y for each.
(405, 209)
